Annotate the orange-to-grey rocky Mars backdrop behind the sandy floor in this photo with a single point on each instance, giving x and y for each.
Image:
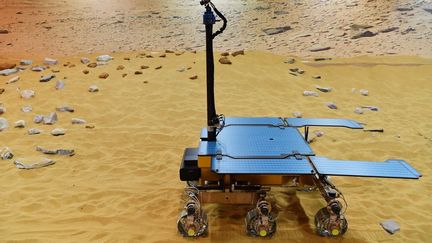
(303, 28)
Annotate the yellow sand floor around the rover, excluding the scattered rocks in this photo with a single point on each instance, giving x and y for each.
(122, 186)
